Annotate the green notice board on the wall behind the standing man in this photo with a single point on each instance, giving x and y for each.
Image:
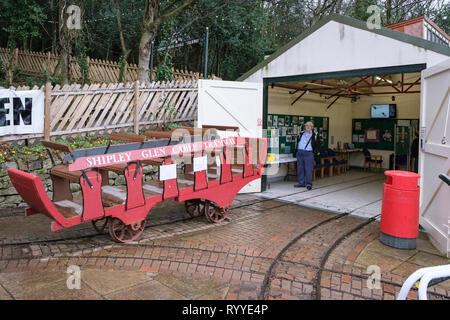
(283, 131)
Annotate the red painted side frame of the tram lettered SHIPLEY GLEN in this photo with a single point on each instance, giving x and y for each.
(132, 213)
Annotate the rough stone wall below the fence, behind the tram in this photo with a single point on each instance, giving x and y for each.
(40, 165)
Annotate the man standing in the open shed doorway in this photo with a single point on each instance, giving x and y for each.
(307, 146)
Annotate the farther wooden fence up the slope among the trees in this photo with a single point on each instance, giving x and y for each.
(100, 71)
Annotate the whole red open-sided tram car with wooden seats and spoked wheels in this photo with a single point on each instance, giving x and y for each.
(218, 169)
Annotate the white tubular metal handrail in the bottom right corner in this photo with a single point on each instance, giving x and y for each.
(424, 275)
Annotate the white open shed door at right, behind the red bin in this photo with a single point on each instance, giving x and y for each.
(434, 158)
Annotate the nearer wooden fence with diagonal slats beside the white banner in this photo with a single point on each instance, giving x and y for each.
(104, 108)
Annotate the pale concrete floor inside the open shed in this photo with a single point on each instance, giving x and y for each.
(356, 192)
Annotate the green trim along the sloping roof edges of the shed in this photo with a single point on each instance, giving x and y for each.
(353, 23)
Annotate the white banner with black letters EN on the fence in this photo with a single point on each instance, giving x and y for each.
(21, 112)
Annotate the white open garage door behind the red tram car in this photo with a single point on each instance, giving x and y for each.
(230, 103)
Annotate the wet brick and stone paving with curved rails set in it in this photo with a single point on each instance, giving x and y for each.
(268, 249)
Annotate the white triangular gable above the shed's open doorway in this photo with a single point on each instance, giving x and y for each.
(337, 47)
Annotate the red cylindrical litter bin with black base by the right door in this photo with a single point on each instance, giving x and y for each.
(400, 210)
